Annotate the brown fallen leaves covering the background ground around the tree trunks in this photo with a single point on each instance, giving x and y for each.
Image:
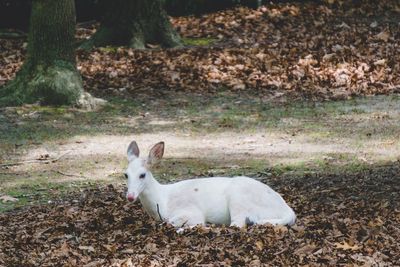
(300, 49)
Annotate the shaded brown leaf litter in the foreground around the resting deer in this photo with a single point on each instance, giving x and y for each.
(343, 219)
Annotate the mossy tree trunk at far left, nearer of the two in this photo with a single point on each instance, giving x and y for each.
(49, 73)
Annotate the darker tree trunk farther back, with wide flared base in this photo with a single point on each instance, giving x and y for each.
(134, 23)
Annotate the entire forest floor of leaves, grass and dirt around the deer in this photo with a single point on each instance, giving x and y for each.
(300, 96)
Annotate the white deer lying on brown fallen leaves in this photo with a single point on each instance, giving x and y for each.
(233, 201)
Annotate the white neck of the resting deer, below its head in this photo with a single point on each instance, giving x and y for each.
(153, 199)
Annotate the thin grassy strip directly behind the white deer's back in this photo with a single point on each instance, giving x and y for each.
(178, 169)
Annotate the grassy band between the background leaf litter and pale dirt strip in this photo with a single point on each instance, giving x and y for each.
(34, 124)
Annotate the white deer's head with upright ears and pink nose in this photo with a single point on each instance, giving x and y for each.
(138, 172)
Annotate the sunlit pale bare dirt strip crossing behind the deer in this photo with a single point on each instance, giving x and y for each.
(363, 131)
